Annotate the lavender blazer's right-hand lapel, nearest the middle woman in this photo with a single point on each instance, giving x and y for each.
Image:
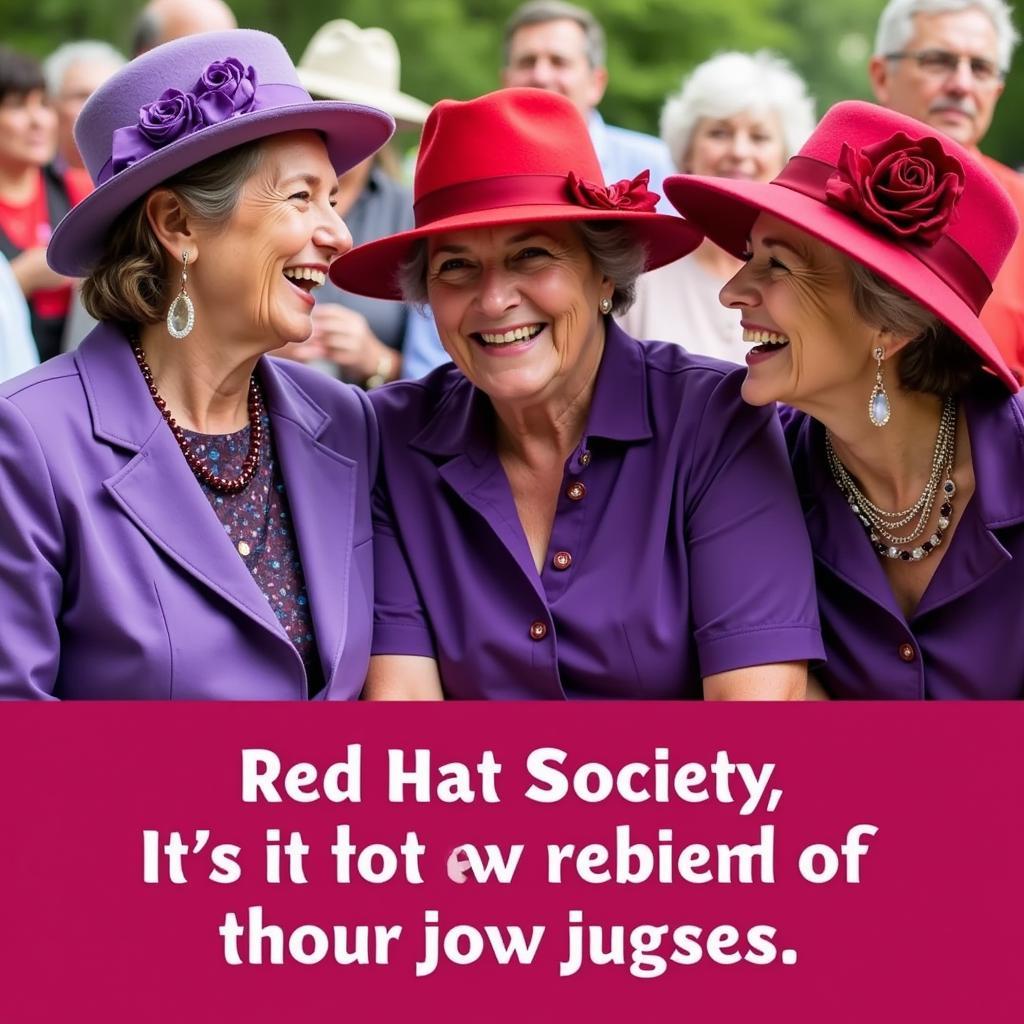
(321, 486)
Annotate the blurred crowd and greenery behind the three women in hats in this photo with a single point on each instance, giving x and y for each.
(699, 92)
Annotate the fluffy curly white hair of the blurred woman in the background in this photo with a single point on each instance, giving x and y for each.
(732, 83)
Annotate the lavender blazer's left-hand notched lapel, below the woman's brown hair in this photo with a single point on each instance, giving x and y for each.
(156, 490)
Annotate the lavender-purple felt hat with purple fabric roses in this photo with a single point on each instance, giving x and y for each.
(187, 101)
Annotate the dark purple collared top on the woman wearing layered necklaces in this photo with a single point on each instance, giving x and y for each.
(966, 639)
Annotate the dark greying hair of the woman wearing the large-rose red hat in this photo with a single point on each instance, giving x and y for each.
(937, 361)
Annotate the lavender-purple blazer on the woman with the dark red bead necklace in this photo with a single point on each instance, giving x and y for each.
(117, 580)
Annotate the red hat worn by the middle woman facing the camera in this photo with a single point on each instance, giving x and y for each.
(513, 157)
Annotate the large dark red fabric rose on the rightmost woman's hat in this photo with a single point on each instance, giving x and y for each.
(908, 187)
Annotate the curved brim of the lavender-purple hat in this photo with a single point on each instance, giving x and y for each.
(352, 133)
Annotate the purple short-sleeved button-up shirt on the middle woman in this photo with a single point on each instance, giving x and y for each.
(678, 550)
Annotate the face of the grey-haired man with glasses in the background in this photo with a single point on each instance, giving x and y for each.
(960, 104)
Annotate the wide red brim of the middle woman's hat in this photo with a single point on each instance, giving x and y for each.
(372, 269)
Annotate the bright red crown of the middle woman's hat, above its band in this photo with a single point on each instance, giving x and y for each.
(507, 134)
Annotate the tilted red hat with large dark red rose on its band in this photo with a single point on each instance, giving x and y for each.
(910, 204)
